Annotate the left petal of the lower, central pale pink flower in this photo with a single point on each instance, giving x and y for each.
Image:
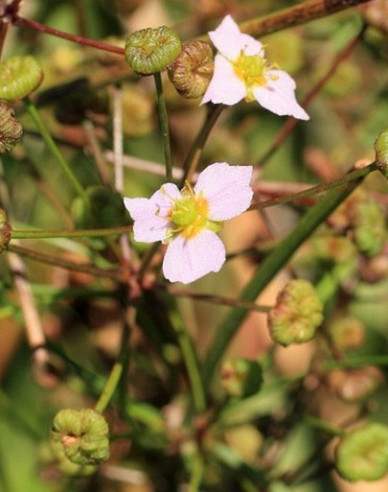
(148, 226)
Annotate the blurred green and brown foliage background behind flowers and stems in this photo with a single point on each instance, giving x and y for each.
(155, 434)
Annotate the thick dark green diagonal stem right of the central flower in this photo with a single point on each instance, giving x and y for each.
(268, 269)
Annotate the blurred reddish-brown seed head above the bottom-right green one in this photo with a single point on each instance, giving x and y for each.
(356, 384)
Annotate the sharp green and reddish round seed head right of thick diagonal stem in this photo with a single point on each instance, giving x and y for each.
(297, 313)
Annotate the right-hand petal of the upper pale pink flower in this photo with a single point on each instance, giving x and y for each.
(278, 95)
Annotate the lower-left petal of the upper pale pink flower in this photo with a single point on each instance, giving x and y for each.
(225, 87)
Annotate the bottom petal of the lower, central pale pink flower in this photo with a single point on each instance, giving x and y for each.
(187, 260)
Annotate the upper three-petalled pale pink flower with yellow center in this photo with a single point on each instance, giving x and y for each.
(241, 71)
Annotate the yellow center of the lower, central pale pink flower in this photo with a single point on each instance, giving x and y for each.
(189, 213)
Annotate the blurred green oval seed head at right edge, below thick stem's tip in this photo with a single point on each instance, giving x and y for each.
(370, 231)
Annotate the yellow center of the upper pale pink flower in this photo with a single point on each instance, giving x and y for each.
(251, 70)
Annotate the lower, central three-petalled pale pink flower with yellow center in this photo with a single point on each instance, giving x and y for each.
(188, 220)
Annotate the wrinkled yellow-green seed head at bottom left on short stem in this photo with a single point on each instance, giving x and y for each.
(83, 436)
